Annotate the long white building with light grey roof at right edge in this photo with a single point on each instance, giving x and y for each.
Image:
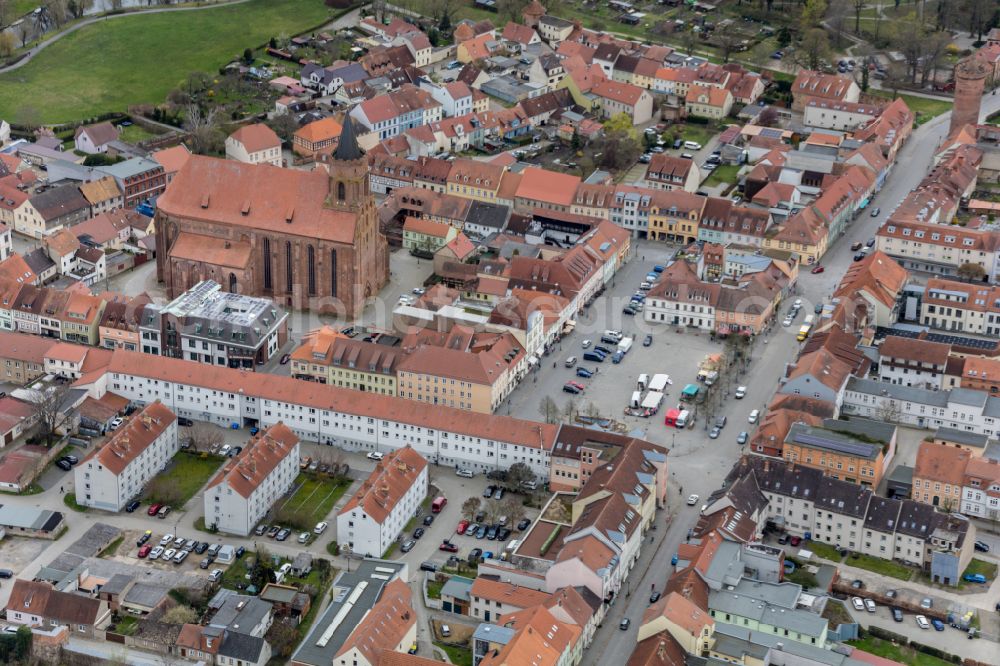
(958, 408)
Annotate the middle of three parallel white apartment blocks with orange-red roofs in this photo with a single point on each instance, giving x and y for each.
(249, 484)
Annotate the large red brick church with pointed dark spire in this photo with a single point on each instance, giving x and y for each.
(307, 240)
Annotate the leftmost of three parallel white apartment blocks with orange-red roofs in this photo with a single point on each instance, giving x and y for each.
(116, 472)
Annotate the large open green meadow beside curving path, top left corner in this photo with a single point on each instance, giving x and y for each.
(139, 59)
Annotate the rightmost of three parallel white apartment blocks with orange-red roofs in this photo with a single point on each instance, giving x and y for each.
(376, 514)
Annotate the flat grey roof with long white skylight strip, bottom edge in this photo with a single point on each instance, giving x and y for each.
(318, 648)
